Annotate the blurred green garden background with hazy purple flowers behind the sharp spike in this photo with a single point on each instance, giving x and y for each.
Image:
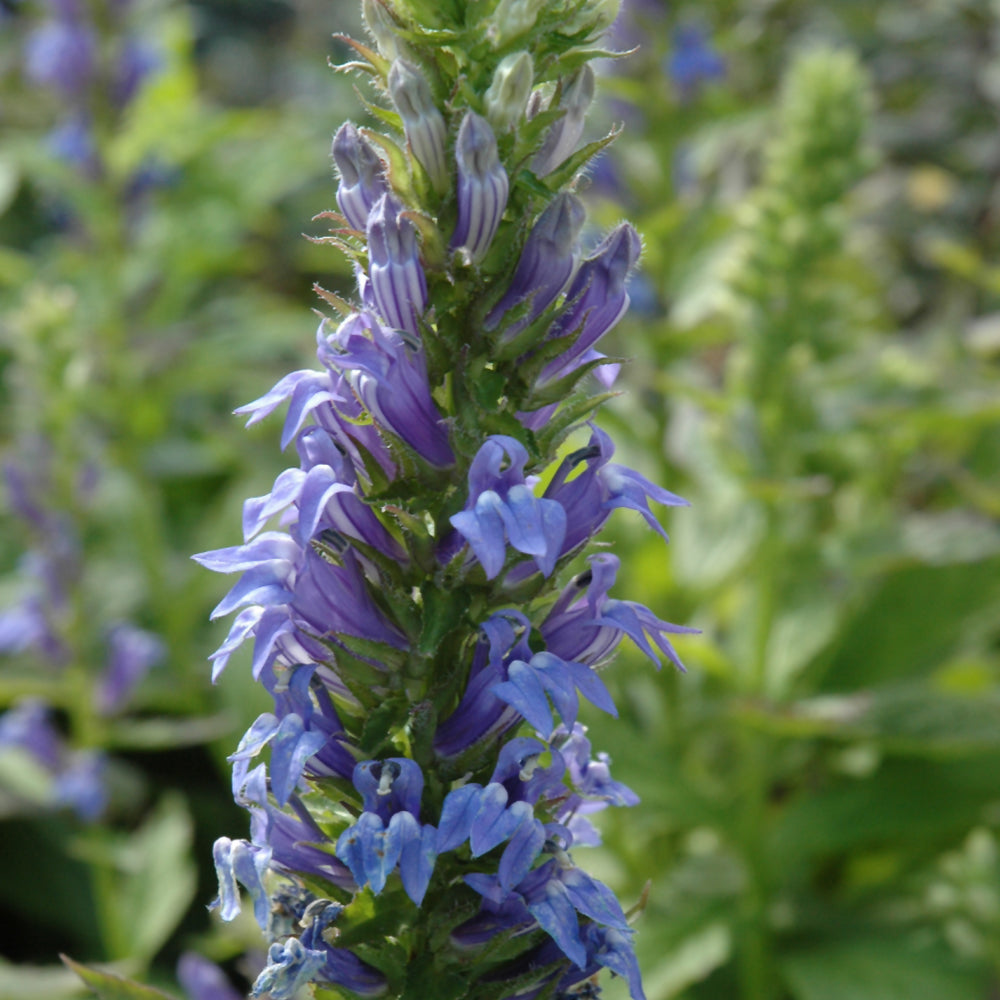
(816, 341)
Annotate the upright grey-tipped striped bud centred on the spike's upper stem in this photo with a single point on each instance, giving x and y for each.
(482, 187)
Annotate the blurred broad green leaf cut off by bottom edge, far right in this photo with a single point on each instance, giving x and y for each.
(880, 970)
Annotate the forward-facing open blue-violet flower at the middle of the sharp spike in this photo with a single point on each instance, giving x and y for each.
(501, 508)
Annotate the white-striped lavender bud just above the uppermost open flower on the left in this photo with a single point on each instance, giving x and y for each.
(397, 277)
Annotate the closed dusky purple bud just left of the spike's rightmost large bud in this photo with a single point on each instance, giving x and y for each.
(546, 263)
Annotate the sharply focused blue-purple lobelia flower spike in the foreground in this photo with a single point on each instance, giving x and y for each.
(433, 604)
